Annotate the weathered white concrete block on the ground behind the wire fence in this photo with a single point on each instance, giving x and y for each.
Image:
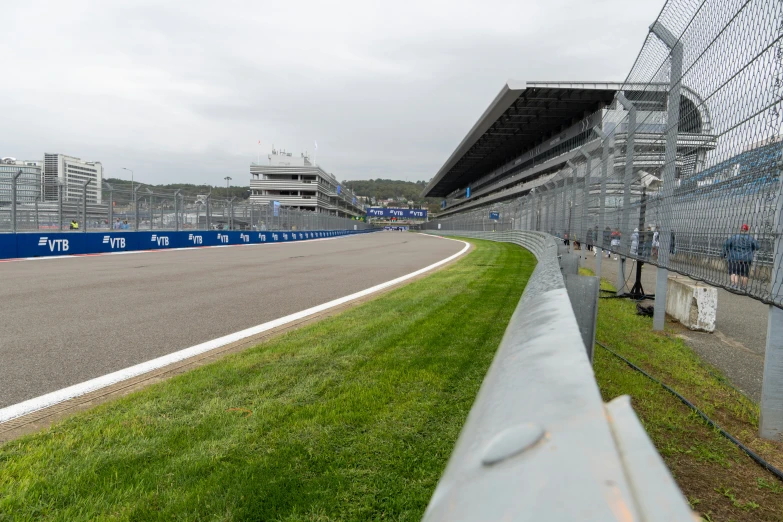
(693, 304)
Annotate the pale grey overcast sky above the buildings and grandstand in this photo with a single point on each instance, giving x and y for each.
(184, 91)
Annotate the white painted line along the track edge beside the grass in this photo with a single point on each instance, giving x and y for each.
(50, 399)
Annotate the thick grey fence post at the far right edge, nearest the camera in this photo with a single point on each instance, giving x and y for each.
(771, 419)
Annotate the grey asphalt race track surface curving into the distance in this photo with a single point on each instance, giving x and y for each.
(64, 321)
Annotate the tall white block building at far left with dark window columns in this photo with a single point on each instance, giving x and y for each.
(71, 173)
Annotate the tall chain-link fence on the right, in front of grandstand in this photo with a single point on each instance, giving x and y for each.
(684, 170)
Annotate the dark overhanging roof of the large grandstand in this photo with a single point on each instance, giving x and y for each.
(522, 116)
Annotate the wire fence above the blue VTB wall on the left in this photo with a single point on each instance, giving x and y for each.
(22, 209)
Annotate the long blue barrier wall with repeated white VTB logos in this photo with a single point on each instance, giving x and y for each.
(74, 243)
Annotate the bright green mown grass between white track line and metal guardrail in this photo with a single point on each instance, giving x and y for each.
(352, 418)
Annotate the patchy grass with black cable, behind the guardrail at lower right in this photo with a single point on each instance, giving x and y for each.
(720, 481)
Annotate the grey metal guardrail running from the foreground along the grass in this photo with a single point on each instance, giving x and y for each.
(539, 443)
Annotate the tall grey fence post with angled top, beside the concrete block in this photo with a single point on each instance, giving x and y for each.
(669, 172)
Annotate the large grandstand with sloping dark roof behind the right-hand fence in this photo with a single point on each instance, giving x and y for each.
(531, 130)
